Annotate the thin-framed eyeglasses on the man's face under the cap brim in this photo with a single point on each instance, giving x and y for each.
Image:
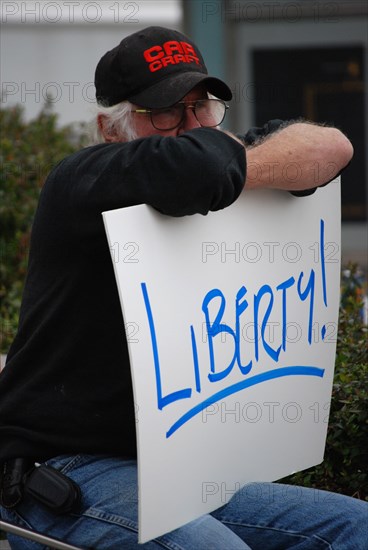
(208, 112)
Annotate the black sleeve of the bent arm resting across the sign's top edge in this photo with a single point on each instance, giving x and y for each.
(199, 171)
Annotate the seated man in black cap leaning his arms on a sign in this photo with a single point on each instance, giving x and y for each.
(65, 395)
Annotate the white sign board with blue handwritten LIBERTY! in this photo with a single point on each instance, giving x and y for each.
(231, 321)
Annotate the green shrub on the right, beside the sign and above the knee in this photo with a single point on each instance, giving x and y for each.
(344, 469)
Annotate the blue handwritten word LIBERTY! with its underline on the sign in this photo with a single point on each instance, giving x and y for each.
(303, 288)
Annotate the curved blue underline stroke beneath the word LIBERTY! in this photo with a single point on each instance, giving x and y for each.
(239, 386)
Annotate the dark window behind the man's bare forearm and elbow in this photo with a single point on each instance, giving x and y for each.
(321, 84)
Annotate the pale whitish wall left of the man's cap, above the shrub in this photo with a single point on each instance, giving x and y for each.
(52, 48)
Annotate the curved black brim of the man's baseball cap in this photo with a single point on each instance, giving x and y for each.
(174, 88)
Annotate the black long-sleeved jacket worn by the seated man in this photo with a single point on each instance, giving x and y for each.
(66, 387)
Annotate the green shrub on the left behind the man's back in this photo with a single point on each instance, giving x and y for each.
(28, 151)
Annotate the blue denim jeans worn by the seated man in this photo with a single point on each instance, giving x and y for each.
(261, 516)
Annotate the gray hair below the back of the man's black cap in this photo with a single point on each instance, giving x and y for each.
(118, 120)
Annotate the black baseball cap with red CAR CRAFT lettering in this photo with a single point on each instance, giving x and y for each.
(154, 68)
